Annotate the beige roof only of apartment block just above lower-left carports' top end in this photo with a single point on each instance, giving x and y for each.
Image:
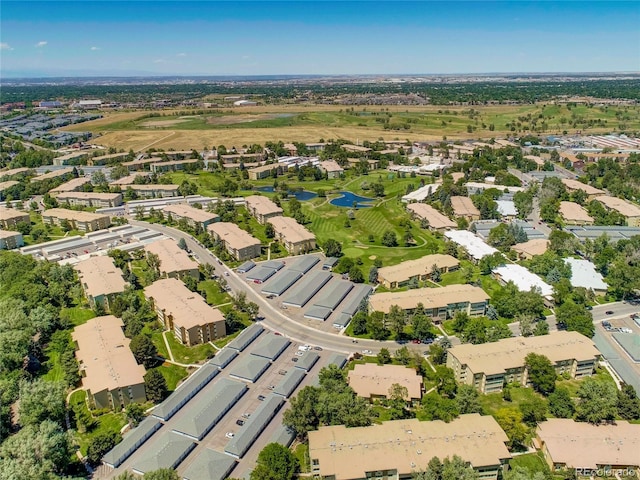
(187, 308)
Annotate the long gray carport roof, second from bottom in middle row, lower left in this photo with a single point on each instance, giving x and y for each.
(208, 410)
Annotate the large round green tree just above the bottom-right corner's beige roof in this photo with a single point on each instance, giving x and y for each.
(598, 401)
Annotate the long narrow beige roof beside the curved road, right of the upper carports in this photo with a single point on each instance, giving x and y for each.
(429, 297)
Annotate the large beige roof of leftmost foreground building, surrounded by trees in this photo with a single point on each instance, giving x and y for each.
(104, 354)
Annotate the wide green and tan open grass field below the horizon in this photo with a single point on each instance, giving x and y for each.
(310, 123)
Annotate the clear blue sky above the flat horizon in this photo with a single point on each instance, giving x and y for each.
(322, 37)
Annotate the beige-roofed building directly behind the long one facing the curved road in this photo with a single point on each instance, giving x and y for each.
(420, 269)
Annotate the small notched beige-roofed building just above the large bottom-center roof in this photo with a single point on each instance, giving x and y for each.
(373, 381)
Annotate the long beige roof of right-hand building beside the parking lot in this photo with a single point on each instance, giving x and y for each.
(496, 357)
